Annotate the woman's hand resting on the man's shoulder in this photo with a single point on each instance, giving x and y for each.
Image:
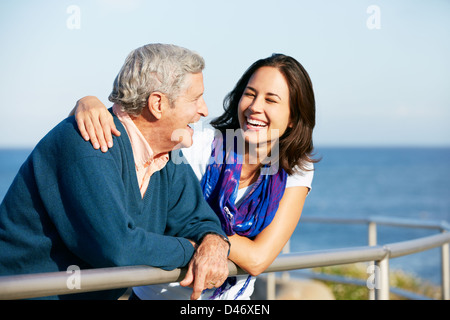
(95, 122)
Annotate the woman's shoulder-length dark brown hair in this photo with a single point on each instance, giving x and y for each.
(295, 145)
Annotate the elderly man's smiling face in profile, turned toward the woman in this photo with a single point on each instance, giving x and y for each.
(188, 108)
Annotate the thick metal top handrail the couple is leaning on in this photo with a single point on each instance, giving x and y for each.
(56, 283)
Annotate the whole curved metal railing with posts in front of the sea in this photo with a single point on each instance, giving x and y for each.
(56, 283)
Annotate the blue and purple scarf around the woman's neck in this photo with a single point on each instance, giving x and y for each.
(258, 207)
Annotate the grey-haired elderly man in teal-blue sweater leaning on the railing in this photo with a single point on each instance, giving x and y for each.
(73, 205)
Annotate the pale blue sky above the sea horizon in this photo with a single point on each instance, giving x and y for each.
(384, 86)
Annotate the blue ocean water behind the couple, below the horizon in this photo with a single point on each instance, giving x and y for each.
(411, 183)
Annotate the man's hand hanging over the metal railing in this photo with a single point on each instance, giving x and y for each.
(209, 265)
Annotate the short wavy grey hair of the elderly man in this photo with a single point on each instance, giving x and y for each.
(153, 68)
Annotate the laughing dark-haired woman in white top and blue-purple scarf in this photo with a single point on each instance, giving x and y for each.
(257, 187)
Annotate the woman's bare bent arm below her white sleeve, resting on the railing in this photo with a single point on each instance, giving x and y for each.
(254, 256)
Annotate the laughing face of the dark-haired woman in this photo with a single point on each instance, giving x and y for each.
(264, 113)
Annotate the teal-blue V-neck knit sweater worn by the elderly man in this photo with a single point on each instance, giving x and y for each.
(73, 205)
